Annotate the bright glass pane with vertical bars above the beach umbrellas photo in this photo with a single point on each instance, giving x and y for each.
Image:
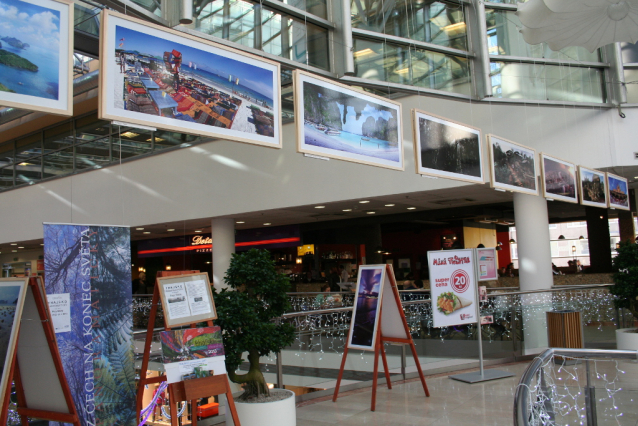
(283, 36)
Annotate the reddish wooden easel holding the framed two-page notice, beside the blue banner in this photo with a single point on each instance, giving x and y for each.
(189, 390)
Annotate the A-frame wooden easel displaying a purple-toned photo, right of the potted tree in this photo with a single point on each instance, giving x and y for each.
(389, 327)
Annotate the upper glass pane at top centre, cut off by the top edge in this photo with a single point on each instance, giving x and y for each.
(432, 22)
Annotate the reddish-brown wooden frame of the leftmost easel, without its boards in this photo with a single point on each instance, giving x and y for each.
(69, 417)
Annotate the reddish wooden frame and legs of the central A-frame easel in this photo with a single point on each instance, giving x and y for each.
(394, 309)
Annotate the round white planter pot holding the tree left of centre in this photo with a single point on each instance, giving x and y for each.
(278, 413)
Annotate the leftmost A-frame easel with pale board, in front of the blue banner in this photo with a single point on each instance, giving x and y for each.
(42, 389)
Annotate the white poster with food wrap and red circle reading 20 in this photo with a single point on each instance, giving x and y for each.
(453, 287)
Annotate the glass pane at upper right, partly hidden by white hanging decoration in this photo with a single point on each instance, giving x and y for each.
(504, 38)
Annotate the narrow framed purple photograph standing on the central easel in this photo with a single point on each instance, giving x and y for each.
(365, 316)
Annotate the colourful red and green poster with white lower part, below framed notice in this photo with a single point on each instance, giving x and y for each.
(192, 353)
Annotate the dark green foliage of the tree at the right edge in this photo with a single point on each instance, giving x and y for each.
(625, 267)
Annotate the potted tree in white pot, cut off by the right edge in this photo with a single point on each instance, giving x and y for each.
(625, 288)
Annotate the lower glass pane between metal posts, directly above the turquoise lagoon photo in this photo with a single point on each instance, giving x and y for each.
(417, 67)
